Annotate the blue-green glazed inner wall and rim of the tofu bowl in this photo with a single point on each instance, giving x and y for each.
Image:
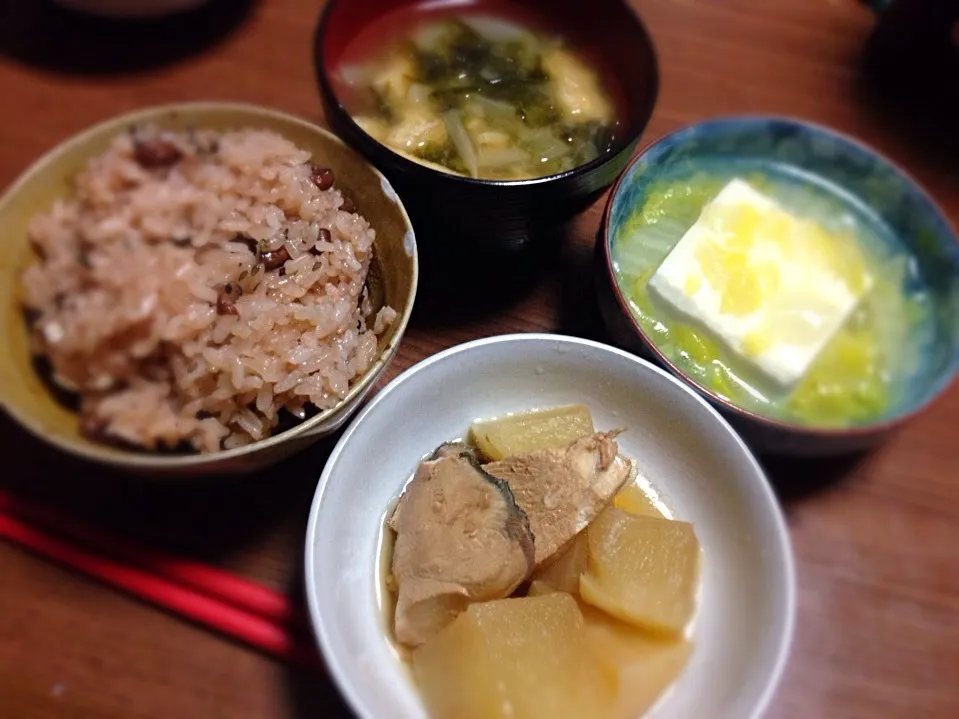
(866, 183)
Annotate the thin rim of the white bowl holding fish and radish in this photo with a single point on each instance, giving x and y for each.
(318, 620)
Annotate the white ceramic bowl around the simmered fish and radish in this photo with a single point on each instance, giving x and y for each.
(702, 469)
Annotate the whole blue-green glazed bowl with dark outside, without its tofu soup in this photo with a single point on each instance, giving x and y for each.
(859, 175)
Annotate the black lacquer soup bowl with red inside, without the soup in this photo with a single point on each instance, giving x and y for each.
(457, 215)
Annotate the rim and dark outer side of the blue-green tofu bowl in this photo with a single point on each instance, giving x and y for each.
(765, 435)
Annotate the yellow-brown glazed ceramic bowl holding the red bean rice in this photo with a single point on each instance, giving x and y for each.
(28, 397)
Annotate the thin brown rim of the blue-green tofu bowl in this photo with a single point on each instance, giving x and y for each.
(938, 216)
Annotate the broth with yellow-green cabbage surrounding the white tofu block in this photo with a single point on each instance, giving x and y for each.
(859, 374)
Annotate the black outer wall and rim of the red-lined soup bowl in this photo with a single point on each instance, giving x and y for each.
(501, 215)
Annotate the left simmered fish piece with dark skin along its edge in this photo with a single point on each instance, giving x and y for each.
(460, 538)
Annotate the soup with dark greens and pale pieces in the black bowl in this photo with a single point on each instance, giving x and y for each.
(479, 95)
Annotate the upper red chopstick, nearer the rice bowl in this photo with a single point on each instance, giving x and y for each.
(208, 580)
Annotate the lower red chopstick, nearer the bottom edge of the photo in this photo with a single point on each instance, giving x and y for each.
(252, 629)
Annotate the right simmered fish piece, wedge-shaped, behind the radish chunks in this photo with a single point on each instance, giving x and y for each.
(562, 490)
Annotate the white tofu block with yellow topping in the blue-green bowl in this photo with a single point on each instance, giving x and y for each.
(773, 287)
